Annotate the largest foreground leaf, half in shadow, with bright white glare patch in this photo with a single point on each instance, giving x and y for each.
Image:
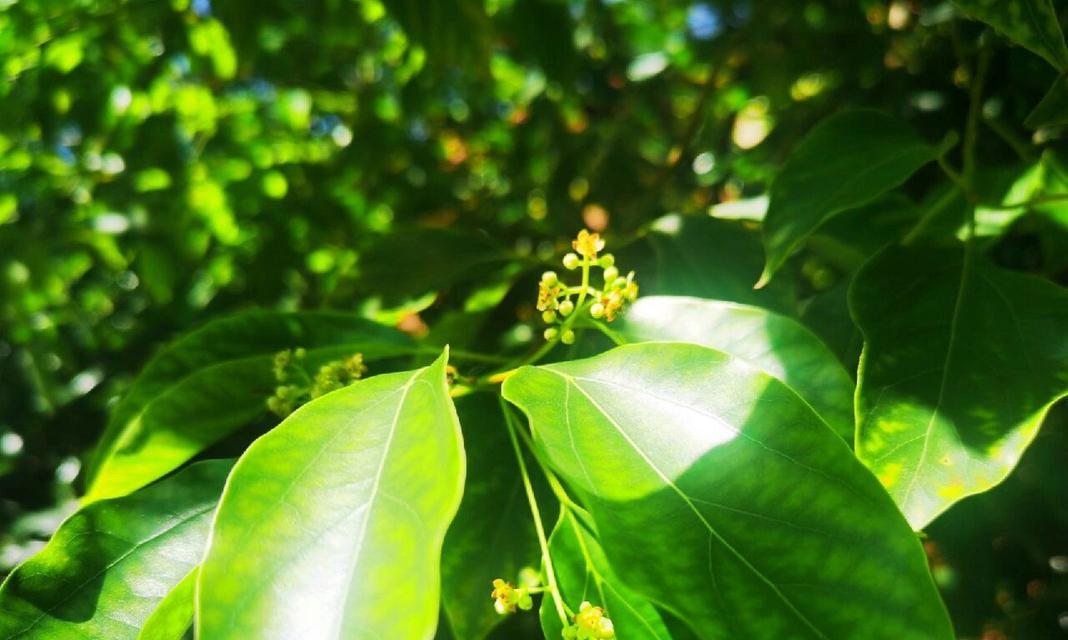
(719, 494)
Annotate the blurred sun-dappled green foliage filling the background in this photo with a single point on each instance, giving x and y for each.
(165, 162)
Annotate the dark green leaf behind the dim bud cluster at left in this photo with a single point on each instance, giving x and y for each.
(213, 382)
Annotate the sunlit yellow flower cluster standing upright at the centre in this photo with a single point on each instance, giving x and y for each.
(555, 298)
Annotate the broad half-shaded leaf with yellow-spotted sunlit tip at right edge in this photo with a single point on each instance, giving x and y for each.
(962, 363)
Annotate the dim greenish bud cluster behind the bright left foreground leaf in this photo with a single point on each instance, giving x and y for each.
(296, 387)
